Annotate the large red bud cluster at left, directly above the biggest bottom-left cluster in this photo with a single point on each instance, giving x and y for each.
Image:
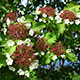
(17, 31)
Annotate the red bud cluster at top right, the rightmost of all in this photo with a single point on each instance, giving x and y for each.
(66, 14)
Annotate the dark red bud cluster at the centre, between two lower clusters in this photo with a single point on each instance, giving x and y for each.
(41, 45)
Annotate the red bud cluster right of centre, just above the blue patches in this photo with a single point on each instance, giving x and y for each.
(58, 49)
